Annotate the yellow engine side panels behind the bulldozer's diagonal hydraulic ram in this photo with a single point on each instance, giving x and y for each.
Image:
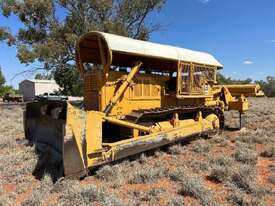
(145, 92)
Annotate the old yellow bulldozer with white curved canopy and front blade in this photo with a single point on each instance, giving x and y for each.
(138, 96)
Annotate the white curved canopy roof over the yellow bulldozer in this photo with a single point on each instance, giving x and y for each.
(110, 49)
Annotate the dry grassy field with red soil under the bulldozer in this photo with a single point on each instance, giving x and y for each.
(236, 167)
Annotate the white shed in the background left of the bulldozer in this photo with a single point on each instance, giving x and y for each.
(31, 88)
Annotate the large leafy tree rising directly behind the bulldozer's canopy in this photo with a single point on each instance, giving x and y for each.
(49, 38)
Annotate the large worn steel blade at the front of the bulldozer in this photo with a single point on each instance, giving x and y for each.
(48, 125)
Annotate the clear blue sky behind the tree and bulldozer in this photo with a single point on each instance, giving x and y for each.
(239, 33)
